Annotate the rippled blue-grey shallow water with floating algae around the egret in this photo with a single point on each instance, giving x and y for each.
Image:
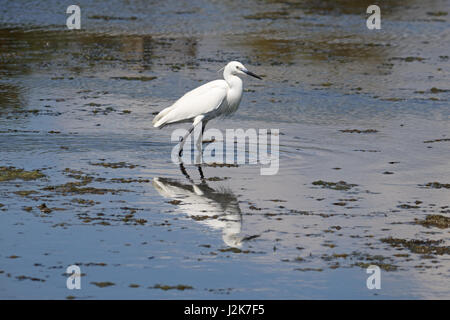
(77, 105)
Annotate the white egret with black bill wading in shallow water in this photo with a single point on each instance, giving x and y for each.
(213, 99)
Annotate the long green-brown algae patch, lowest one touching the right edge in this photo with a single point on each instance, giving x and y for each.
(418, 246)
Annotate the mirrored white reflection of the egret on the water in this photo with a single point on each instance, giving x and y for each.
(216, 208)
